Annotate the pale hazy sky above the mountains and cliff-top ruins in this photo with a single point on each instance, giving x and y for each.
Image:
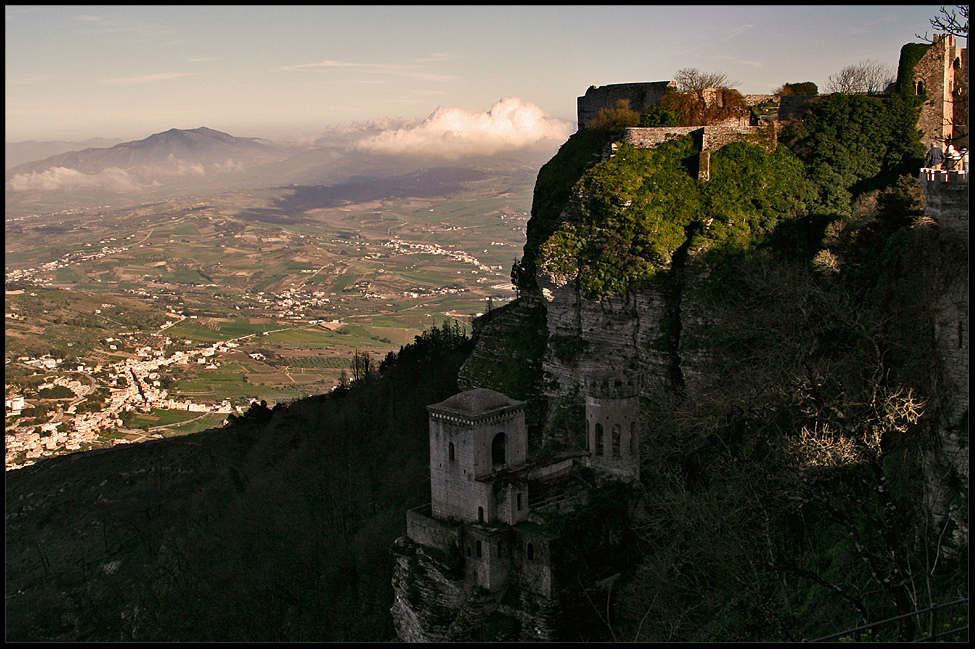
(77, 72)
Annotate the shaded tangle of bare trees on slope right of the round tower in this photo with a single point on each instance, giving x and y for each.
(783, 497)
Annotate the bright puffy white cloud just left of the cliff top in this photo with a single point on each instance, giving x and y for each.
(511, 124)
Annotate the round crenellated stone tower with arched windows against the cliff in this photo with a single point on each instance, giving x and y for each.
(613, 424)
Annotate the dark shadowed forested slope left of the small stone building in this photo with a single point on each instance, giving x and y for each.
(274, 528)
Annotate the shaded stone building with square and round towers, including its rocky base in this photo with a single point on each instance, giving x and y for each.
(481, 545)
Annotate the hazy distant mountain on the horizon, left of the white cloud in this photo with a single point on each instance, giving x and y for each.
(175, 151)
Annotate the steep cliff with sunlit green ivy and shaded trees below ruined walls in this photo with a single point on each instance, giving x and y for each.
(800, 326)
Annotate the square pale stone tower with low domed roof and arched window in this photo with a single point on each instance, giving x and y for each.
(473, 436)
